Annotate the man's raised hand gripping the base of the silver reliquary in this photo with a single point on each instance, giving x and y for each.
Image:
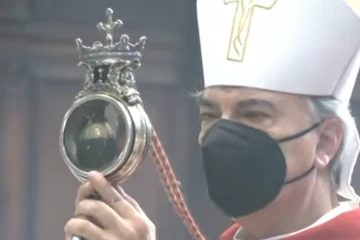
(116, 217)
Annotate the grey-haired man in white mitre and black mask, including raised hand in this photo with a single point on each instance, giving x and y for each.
(279, 144)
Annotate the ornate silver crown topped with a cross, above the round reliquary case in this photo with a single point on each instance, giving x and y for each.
(110, 66)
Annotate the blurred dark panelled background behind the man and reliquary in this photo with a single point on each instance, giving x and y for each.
(38, 82)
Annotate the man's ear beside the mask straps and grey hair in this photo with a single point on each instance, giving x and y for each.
(331, 133)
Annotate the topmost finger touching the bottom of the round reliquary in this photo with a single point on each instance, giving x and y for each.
(108, 193)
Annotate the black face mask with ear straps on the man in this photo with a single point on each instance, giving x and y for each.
(245, 168)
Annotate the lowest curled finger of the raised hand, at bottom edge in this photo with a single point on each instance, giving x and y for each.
(84, 229)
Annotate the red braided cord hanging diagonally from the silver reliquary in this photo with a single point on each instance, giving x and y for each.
(171, 184)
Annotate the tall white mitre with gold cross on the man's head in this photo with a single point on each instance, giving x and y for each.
(309, 47)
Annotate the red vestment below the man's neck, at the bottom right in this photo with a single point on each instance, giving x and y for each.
(345, 226)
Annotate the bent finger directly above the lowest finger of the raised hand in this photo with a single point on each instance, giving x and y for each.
(99, 212)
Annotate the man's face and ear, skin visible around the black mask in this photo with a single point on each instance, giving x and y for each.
(280, 115)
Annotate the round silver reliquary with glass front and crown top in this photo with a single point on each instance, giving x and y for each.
(106, 128)
